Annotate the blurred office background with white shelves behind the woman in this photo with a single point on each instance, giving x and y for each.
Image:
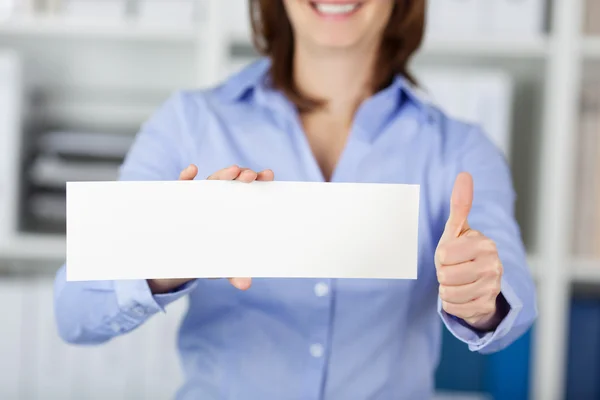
(78, 77)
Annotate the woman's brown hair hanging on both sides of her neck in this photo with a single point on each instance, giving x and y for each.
(273, 37)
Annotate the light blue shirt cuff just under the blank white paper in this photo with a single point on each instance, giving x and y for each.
(135, 299)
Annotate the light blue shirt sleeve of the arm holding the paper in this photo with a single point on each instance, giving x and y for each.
(94, 312)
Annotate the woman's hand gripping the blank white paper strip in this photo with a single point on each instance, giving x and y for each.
(234, 172)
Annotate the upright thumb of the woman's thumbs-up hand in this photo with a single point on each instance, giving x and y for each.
(460, 206)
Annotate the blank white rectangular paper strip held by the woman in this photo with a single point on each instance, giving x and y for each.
(215, 229)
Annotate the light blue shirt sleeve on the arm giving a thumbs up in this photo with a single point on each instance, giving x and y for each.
(492, 214)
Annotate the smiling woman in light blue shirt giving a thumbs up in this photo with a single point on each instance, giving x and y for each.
(332, 101)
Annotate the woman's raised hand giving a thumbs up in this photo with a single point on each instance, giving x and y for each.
(468, 267)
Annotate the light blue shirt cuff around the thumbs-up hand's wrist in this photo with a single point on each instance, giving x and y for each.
(478, 341)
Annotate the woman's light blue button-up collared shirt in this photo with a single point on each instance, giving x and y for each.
(305, 339)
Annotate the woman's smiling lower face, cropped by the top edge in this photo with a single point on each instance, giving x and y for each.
(338, 23)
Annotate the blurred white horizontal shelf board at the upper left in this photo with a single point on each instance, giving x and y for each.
(89, 28)
